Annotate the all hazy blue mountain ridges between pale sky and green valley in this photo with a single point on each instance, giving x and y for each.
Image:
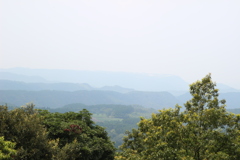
(49, 88)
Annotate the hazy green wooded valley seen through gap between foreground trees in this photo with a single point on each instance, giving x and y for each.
(105, 115)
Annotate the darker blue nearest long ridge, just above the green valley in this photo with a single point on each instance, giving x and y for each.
(54, 99)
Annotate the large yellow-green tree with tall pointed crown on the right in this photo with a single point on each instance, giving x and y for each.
(204, 130)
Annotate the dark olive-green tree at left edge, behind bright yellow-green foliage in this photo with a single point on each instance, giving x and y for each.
(24, 127)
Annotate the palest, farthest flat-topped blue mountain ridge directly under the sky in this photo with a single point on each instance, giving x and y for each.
(98, 79)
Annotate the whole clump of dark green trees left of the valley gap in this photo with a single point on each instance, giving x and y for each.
(39, 134)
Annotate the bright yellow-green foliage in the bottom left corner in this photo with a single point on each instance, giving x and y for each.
(7, 151)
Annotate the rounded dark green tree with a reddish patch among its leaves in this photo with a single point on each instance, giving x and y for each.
(78, 136)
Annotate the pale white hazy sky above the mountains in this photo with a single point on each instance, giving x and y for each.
(188, 38)
